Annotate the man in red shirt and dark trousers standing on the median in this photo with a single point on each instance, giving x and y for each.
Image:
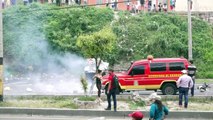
(111, 91)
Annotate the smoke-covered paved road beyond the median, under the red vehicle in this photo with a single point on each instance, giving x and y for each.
(28, 88)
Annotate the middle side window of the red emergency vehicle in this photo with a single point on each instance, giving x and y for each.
(154, 67)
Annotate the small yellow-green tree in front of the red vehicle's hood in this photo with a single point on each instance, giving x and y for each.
(97, 45)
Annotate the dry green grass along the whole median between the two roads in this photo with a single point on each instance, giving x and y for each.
(195, 103)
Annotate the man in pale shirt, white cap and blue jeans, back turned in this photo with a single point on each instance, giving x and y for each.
(184, 83)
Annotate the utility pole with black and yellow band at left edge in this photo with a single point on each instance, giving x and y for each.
(1, 53)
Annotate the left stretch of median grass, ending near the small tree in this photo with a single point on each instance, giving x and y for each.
(45, 102)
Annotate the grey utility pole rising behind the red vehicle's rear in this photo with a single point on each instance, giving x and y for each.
(189, 31)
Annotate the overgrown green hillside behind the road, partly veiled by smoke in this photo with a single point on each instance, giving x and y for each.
(33, 33)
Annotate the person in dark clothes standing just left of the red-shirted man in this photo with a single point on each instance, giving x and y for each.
(98, 79)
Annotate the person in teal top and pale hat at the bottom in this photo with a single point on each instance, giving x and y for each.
(157, 110)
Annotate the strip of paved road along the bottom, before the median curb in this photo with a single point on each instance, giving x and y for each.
(25, 117)
